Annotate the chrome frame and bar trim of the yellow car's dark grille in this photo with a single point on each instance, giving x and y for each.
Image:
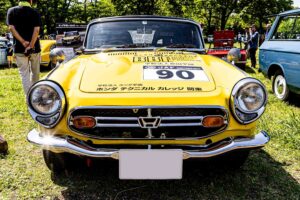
(226, 120)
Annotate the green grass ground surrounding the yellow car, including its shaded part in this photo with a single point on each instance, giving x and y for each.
(270, 173)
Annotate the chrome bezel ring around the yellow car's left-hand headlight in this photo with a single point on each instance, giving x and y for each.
(36, 114)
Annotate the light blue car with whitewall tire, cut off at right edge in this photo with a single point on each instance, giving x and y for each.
(279, 55)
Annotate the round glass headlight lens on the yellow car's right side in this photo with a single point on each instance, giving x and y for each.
(251, 97)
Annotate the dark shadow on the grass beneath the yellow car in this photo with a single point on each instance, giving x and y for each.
(260, 178)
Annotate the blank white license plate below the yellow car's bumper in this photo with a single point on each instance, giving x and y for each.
(150, 164)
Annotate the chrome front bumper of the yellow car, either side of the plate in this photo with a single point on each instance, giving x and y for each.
(57, 144)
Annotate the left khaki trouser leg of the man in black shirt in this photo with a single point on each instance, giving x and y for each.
(24, 70)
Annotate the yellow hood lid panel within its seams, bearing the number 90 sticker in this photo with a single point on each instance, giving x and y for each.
(138, 72)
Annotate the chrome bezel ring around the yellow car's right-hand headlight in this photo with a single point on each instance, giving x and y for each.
(234, 105)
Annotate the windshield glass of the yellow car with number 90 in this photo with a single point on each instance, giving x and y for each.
(143, 33)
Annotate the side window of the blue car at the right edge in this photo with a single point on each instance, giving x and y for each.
(288, 28)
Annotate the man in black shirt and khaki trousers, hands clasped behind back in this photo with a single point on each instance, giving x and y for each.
(24, 23)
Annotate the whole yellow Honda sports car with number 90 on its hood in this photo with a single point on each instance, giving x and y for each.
(144, 92)
